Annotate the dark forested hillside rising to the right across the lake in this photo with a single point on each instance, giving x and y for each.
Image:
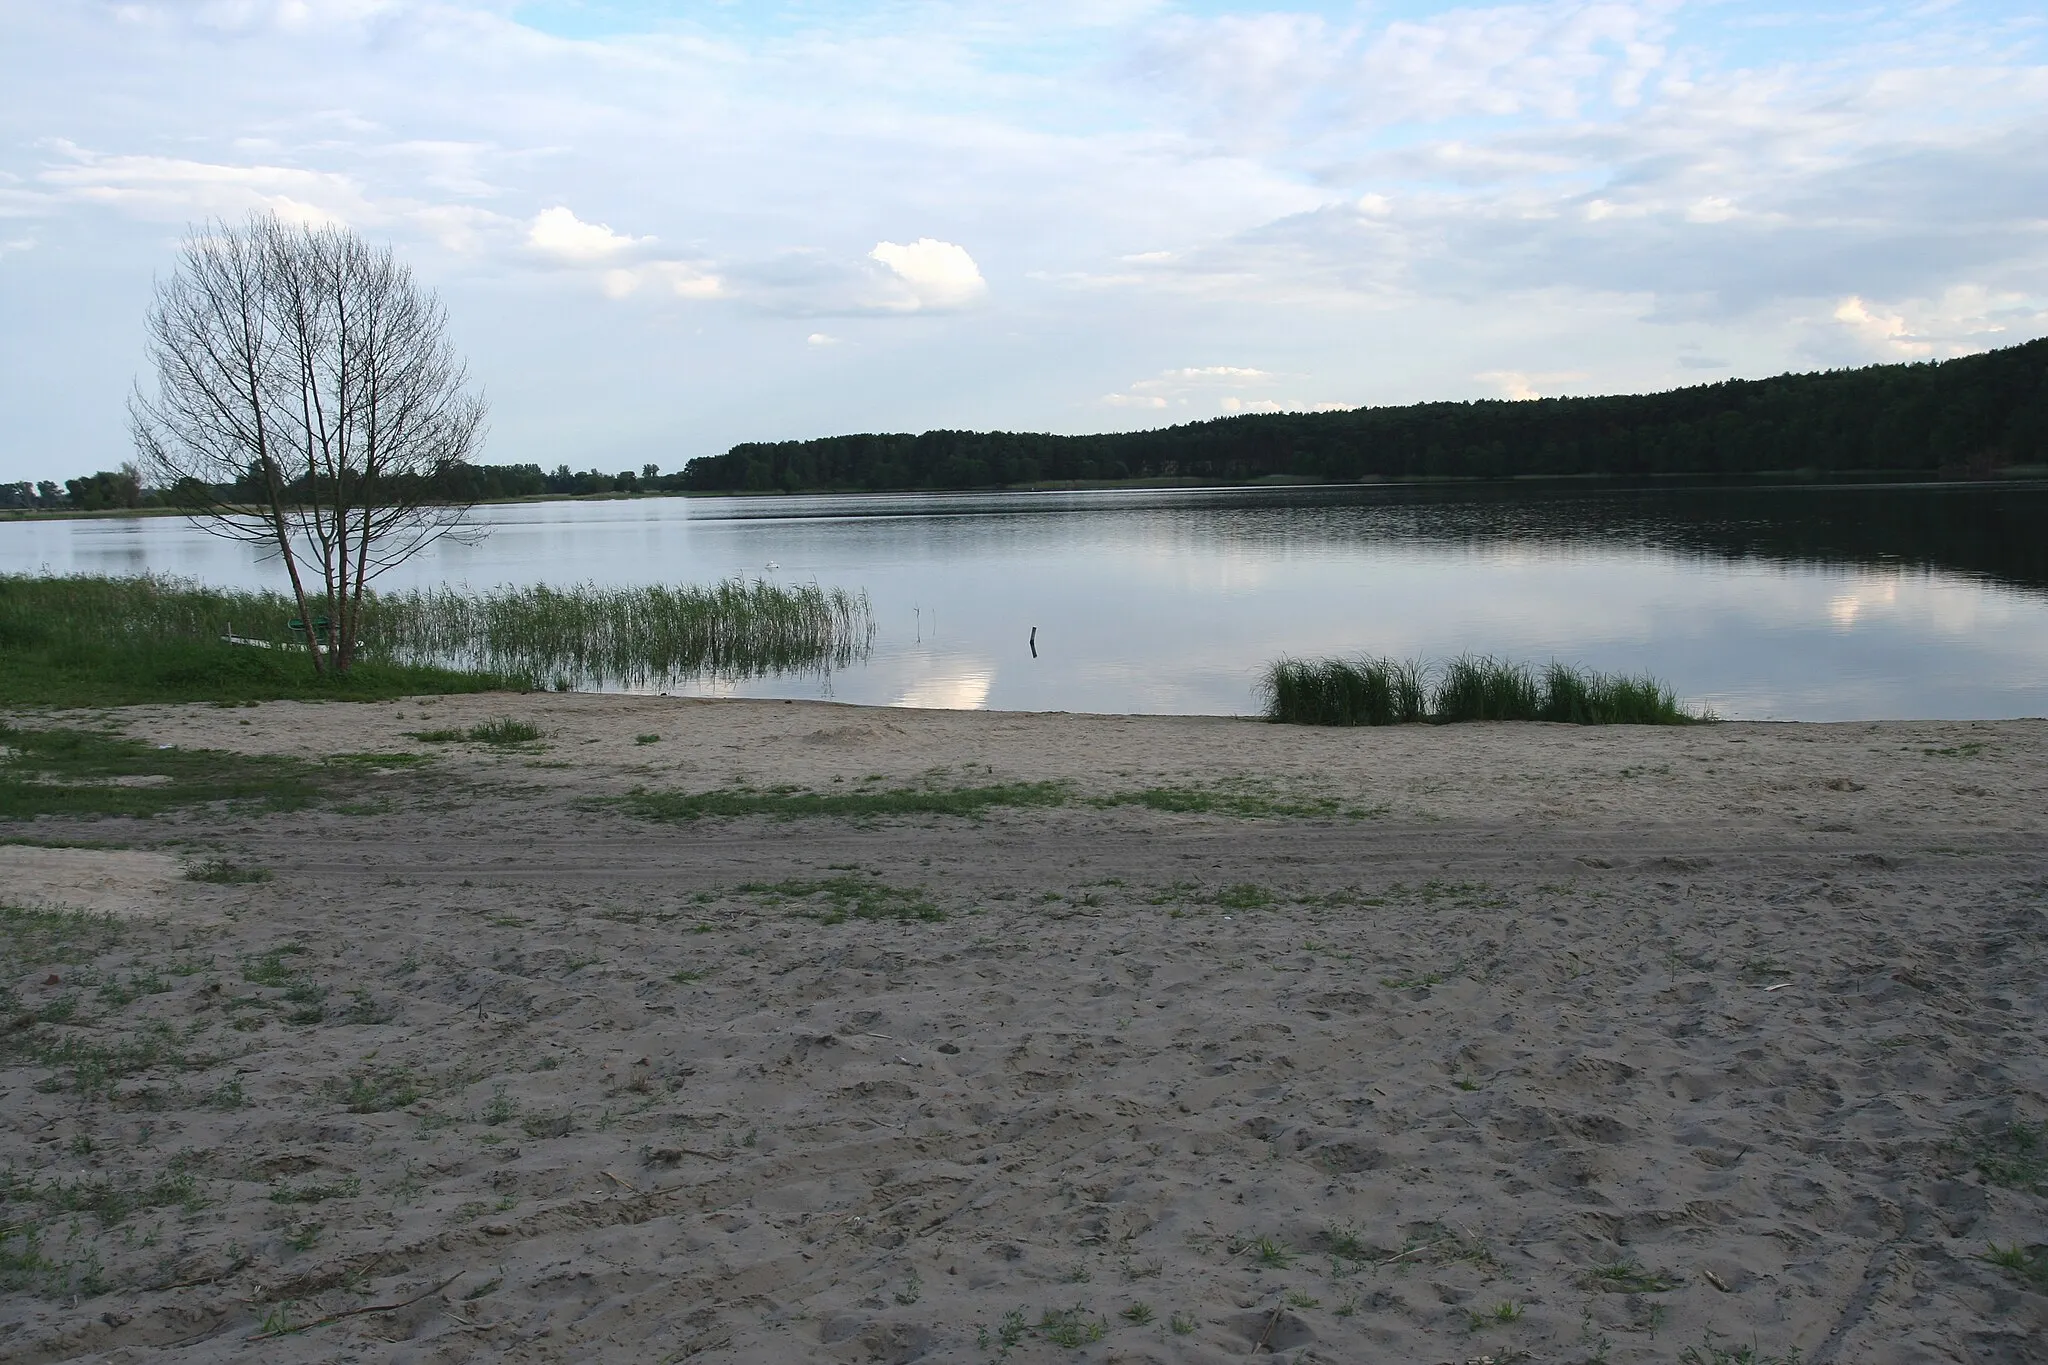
(1959, 416)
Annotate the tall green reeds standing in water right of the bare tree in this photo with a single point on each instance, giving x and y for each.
(630, 635)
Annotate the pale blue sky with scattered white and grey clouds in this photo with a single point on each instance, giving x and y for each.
(663, 228)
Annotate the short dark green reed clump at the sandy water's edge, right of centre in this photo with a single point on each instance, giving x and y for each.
(1371, 691)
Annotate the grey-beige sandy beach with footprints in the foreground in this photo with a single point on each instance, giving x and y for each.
(1543, 1043)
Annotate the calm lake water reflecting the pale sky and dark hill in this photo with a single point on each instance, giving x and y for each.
(1828, 603)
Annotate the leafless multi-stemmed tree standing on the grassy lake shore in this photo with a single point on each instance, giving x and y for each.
(308, 400)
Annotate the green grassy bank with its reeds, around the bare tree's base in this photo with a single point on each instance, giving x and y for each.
(118, 642)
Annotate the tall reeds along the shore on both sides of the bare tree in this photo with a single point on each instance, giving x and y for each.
(574, 637)
